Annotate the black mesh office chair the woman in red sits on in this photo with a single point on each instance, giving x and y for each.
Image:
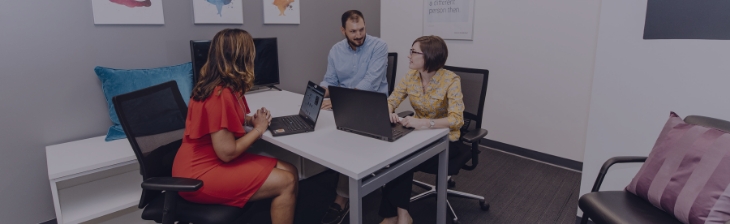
(154, 121)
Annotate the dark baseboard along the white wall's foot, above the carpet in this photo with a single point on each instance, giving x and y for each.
(532, 154)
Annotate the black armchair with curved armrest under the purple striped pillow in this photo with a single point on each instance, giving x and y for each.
(623, 206)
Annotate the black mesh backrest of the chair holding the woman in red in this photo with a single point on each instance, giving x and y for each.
(154, 121)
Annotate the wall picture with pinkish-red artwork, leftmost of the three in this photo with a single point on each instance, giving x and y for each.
(128, 12)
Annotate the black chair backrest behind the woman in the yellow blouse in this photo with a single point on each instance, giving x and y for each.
(474, 89)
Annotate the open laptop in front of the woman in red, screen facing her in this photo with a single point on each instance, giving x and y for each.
(307, 117)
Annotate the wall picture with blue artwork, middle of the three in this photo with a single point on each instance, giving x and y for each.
(218, 11)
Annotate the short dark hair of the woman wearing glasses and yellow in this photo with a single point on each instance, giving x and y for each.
(434, 51)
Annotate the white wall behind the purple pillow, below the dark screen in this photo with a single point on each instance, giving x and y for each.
(637, 82)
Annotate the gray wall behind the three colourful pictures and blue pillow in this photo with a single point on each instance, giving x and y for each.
(50, 94)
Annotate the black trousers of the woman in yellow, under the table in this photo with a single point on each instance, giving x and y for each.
(397, 193)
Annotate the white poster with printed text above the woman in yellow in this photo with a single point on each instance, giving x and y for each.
(449, 19)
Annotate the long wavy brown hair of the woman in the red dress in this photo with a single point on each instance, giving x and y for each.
(230, 64)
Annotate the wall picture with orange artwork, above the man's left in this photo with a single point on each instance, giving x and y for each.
(281, 11)
